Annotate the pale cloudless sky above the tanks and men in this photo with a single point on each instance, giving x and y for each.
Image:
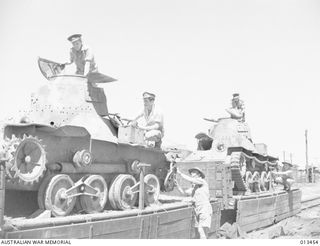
(192, 54)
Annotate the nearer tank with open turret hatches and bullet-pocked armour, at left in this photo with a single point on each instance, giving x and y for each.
(66, 147)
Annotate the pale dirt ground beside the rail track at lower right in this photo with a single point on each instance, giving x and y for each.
(306, 224)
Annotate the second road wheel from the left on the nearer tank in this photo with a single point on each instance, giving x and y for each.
(94, 204)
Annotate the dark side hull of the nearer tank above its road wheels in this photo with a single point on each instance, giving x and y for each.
(108, 158)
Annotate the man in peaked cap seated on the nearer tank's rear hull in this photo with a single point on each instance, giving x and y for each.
(152, 121)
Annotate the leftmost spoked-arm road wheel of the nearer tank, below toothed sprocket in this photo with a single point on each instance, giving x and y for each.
(56, 199)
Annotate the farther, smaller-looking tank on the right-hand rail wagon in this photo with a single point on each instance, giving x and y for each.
(230, 140)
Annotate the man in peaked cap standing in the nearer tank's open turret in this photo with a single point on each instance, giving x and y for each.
(81, 55)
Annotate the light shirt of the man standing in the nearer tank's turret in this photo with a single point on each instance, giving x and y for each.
(81, 57)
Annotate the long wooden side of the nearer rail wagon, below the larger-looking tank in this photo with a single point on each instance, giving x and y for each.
(172, 220)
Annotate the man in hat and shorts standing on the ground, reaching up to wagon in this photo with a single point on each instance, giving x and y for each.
(199, 192)
